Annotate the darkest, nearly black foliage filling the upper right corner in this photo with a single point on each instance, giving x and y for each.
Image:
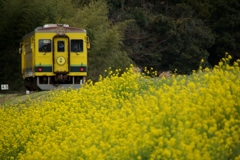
(223, 17)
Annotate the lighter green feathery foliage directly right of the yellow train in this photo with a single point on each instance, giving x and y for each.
(105, 38)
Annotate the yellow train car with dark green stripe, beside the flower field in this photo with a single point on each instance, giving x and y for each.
(54, 55)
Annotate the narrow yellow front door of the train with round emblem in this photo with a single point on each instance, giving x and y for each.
(61, 55)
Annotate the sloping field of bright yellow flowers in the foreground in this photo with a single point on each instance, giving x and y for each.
(131, 116)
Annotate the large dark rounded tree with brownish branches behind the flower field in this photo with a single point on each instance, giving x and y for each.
(166, 35)
